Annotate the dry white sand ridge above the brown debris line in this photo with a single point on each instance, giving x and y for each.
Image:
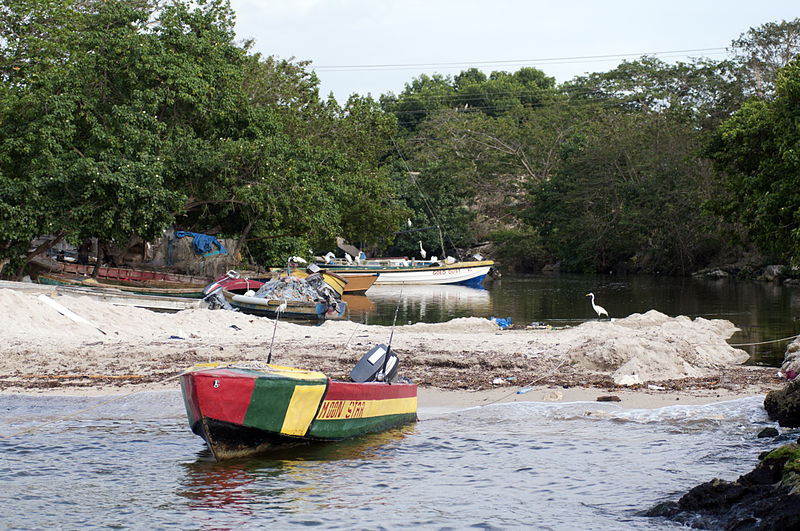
(639, 348)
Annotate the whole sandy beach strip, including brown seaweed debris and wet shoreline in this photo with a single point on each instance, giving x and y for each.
(641, 361)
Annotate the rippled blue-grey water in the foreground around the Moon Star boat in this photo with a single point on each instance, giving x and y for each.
(133, 463)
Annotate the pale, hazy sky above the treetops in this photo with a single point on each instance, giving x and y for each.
(377, 46)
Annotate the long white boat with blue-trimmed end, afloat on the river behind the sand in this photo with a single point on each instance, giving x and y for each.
(402, 271)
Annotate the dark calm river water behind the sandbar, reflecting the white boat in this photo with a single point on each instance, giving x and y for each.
(763, 311)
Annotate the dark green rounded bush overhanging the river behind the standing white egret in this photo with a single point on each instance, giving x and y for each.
(627, 196)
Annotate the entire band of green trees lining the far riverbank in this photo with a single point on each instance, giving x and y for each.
(119, 119)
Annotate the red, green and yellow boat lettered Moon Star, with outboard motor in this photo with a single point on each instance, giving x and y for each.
(247, 408)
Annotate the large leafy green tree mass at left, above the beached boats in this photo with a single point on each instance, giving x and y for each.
(119, 118)
